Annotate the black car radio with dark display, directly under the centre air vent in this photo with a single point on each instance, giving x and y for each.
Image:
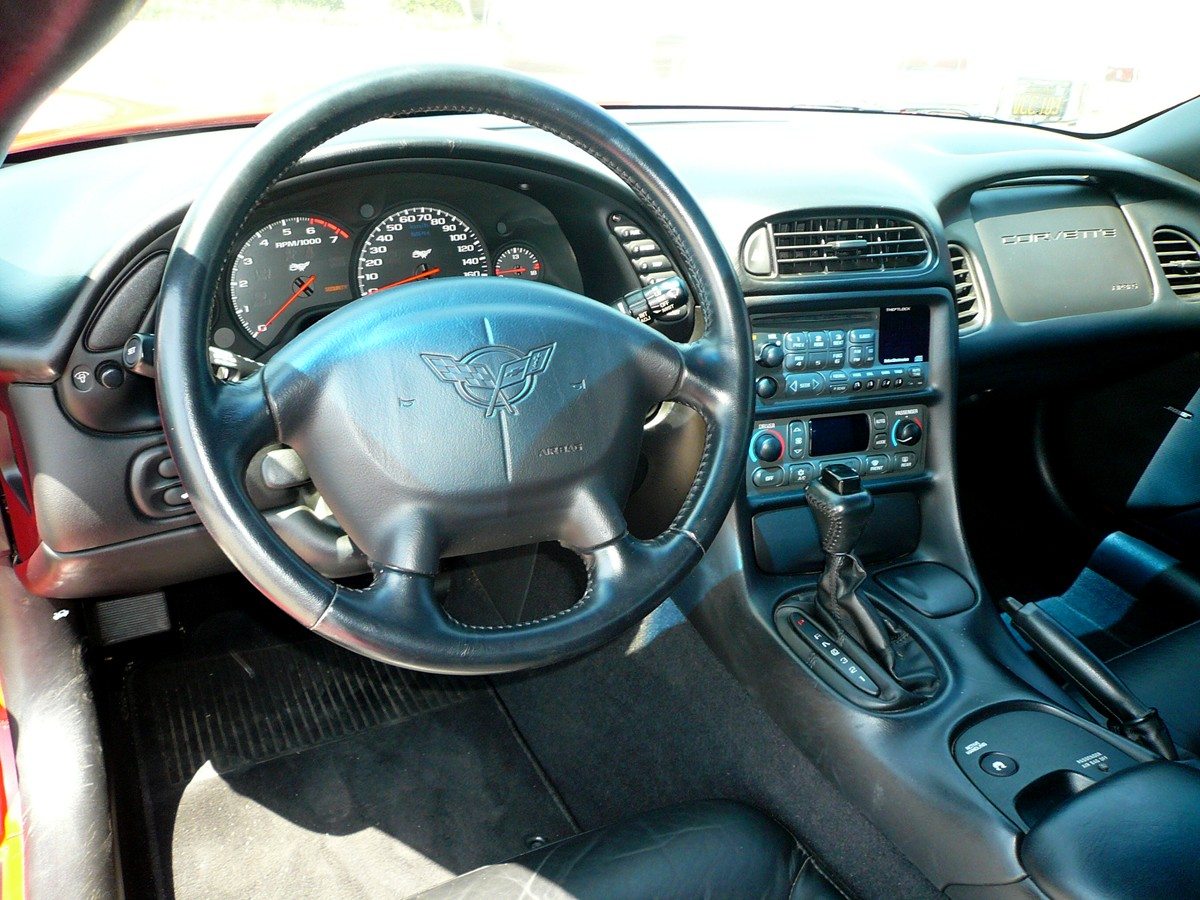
(807, 356)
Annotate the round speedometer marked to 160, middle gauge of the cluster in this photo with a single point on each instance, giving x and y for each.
(419, 243)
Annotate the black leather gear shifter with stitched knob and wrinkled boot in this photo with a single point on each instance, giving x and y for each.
(843, 508)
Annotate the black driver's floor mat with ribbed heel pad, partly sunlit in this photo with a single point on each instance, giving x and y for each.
(303, 770)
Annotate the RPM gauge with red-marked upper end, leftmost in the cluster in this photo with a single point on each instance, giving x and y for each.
(289, 267)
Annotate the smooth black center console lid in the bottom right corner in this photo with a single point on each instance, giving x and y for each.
(1136, 835)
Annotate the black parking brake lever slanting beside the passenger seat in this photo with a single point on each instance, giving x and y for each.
(1100, 685)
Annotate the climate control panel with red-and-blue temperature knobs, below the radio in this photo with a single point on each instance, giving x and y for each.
(787, 454)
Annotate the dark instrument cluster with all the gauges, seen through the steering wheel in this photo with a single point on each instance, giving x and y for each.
(314, 249)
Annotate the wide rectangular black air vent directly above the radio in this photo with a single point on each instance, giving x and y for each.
(848, 244)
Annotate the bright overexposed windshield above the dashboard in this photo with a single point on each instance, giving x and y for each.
(193, 62)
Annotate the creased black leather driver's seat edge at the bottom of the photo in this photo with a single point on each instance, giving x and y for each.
(715, 849)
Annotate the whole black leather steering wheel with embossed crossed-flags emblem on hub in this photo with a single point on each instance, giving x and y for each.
(459, 415)
